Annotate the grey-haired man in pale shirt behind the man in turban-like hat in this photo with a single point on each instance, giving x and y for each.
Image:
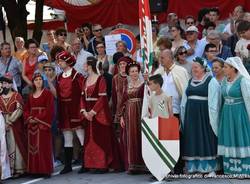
(80, 55)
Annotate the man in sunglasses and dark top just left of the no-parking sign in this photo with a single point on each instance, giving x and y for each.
(98, 38)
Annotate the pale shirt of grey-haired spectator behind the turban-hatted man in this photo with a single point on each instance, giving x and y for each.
(81, 59)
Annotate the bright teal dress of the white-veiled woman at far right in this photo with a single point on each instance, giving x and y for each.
(234, 129)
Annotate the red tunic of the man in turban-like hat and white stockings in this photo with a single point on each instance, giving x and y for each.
(69, 95)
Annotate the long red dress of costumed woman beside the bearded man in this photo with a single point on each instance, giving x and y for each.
(41, 110)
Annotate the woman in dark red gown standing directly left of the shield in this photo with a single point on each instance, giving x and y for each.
(130, 119)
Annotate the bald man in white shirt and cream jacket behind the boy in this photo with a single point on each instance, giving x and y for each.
(175, 79)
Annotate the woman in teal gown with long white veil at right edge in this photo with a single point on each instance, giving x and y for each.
(234, 126)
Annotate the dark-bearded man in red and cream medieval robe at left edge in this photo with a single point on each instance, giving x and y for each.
(11, 105)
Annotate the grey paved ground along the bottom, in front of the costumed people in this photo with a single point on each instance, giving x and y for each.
(116, 178)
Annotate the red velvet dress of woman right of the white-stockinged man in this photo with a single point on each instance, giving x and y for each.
(101, 147)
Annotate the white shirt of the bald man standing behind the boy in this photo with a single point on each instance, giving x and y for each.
(169, 88)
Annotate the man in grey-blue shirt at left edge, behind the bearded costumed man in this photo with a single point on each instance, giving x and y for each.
(10, 64)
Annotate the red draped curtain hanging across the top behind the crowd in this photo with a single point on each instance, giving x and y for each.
(111, 12)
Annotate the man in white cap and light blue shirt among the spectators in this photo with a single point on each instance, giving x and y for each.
(195, 47)
